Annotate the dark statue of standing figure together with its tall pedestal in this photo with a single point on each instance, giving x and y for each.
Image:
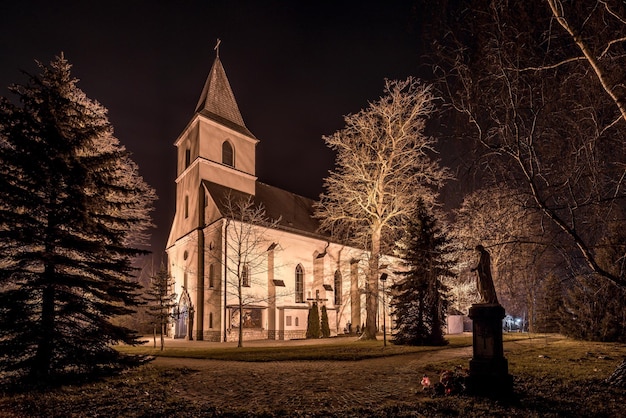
(489, 369)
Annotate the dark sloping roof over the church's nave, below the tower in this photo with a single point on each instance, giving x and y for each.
(295, 212)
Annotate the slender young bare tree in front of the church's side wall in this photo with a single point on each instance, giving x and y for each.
(245, 254)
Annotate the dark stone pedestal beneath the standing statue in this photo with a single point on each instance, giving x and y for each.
(489, 369)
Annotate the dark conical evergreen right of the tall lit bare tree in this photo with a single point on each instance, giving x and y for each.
(418, 299)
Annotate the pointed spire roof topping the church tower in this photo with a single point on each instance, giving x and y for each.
(217, 101)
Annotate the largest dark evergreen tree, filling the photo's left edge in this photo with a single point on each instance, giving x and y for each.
(73, 214)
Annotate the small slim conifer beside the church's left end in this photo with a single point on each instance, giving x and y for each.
(161, 301)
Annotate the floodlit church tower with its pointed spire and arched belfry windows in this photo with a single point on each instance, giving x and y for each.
(216, 147)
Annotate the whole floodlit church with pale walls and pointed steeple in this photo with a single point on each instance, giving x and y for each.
(294, 264)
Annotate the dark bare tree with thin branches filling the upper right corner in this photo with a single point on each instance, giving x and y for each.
(546, 115)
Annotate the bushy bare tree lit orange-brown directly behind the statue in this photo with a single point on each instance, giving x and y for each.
(522, 252)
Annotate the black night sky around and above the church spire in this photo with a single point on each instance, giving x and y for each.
(295, 67)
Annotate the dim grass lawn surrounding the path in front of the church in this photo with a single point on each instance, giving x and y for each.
(553, 377)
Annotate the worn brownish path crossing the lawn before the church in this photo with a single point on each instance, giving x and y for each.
(306, 385)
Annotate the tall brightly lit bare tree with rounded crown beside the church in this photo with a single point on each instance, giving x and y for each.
(384, 163)
